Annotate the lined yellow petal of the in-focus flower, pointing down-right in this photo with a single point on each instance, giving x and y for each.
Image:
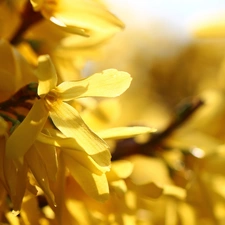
(69, 122)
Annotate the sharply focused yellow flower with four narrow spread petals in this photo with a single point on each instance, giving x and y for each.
(110, 83)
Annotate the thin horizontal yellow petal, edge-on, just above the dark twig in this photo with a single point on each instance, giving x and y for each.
(124, 132)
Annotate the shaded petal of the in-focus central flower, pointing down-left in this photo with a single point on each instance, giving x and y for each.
(25, 134)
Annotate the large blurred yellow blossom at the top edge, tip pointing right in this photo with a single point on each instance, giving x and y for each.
(86, 18)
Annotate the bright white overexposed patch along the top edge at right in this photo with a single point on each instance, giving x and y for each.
(180, 14)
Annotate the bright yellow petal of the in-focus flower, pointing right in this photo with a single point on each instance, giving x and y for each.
(109, 83)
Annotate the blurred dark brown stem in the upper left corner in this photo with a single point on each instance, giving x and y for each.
(29, 18)
